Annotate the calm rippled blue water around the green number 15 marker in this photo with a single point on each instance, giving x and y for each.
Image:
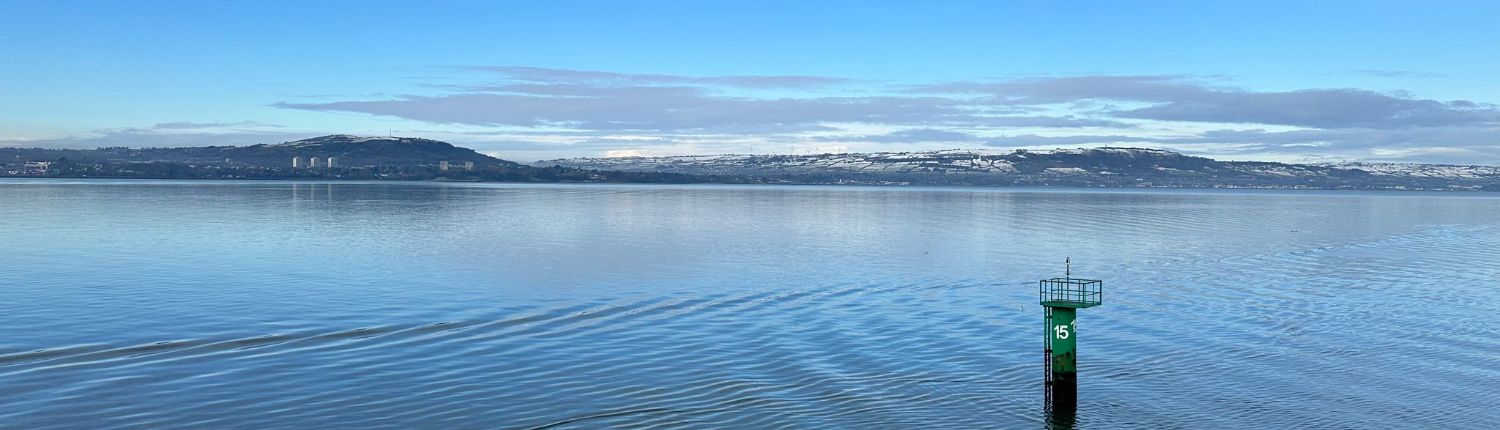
(182, 305)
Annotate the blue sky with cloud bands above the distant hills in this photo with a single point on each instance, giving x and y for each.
(1289, 82)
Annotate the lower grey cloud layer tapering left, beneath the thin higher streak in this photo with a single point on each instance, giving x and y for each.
(679, 110)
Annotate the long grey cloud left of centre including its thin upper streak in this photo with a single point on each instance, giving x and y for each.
(619, 103)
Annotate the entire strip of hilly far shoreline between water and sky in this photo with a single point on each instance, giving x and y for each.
(413, 160)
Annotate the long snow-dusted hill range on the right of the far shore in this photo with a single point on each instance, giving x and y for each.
(1081, 167)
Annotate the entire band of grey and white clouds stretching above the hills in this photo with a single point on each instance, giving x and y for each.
(539, 110)
